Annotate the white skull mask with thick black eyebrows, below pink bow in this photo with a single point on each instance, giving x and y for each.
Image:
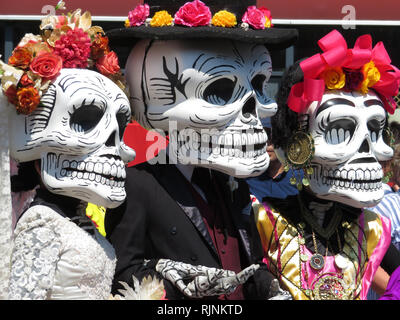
(347, 131)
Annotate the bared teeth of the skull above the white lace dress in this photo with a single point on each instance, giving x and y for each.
(112, 174)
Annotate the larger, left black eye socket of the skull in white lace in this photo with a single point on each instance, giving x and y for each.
(86, 118)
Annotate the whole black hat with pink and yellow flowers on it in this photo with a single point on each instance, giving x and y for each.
(236, 20)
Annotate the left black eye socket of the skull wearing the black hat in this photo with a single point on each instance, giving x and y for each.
(220, 91)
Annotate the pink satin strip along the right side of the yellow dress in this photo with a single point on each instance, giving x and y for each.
(376, 257)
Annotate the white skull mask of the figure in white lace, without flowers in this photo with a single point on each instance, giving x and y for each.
(77, 133)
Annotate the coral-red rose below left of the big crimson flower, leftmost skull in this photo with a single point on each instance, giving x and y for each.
(46, 65)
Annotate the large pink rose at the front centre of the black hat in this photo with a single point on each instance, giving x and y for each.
(193, 14)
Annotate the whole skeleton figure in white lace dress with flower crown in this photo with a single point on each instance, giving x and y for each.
(71, 126)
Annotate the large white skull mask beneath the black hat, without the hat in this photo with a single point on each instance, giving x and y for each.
(208, 95)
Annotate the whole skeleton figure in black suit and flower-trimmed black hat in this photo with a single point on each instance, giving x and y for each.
(186, 219)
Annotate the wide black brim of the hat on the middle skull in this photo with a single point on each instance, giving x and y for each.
(273, 38)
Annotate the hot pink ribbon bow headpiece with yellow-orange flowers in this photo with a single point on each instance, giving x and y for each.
(358, 69)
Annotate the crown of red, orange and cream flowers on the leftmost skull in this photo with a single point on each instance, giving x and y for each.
(66, 41)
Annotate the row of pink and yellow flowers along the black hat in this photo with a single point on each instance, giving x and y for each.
(196, 14)
